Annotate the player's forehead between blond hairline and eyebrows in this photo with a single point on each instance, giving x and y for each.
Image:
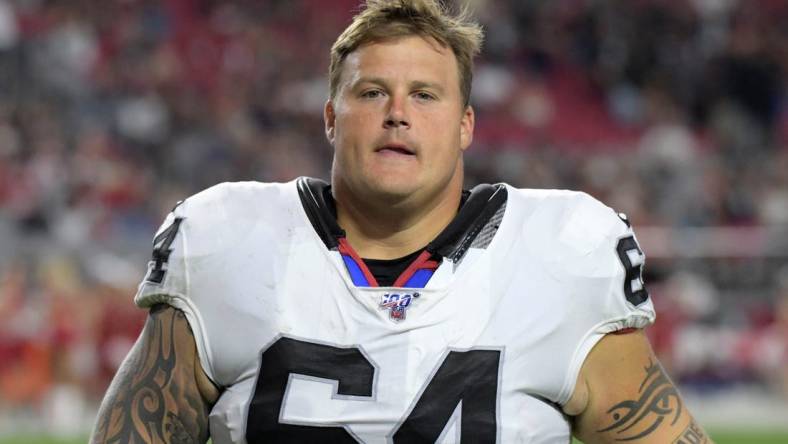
(402, 58)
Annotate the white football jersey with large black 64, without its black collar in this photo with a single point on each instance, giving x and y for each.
(487, 351)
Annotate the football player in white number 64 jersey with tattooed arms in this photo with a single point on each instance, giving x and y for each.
(390, 305)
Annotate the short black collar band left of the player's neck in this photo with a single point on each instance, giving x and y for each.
(312, 193)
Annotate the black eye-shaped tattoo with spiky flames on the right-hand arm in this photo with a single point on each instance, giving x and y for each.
(659, 400)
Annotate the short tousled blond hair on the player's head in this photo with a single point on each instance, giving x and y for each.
(388, 19)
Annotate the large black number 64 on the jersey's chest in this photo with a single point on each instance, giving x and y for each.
(469, 376)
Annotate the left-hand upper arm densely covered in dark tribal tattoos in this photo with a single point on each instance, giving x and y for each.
(160, 393)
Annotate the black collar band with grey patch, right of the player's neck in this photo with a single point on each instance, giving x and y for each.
(457, 237)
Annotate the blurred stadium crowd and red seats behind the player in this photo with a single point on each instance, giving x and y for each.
(674, 112)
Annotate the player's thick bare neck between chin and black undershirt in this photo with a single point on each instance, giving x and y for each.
(391, 231)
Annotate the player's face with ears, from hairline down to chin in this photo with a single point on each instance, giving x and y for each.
(397, 123)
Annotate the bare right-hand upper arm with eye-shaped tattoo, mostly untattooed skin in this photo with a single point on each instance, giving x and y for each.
(624, 395)
